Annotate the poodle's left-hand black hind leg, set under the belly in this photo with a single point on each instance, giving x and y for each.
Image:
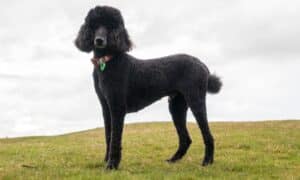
(178, 109)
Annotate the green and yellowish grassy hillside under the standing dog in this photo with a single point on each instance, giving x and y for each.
(244, 150)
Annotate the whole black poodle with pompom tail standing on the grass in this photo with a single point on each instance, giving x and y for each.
(125, 84)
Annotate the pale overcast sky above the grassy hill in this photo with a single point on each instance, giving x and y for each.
(46, 85)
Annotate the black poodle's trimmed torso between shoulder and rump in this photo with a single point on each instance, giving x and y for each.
(152, 79)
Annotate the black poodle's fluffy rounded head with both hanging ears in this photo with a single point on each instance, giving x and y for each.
(104, 32)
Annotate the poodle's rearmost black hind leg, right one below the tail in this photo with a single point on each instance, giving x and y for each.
(196, 101)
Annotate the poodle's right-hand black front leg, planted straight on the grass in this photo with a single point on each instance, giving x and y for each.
(117, 123)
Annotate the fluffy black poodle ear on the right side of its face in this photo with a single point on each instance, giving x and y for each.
(119, 40)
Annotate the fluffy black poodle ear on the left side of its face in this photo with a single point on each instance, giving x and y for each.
(84, 39)
